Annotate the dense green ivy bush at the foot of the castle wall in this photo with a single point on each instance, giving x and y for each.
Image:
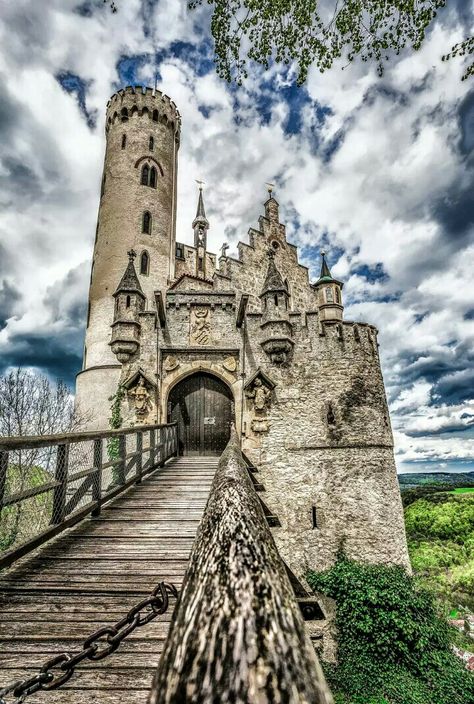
(393, 648)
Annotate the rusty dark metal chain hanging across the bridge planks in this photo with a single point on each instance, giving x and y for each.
(103, 642)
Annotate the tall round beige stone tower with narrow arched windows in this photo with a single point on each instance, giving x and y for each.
(137, 211)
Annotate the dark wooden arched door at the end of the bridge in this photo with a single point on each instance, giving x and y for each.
(203, 407)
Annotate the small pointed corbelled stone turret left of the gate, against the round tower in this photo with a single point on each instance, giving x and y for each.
(129, 302)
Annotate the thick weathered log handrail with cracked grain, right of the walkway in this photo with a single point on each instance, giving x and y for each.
(237, 634)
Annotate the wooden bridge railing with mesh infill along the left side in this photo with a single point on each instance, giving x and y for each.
(50, 482)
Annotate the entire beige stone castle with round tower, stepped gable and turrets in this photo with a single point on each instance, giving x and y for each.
(208, 341)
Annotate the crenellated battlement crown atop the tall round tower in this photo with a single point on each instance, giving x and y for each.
(138, 101)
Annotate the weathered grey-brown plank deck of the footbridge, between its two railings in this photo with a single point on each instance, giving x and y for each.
(91, 575)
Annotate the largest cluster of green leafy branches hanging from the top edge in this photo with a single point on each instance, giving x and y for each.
(307, 32)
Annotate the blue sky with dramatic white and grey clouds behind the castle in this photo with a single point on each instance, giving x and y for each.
(378, 171)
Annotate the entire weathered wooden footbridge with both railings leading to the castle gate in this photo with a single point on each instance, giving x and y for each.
(93, 542)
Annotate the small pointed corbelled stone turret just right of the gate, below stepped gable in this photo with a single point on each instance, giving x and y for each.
(276, 326)
